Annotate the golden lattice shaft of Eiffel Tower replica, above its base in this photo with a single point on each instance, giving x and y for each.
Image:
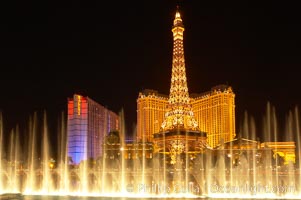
(179, 114)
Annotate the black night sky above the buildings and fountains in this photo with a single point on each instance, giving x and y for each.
(111, 50)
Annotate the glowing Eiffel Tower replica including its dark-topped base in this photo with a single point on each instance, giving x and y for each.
(179, 134)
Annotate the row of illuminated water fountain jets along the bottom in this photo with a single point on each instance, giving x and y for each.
(223, 172)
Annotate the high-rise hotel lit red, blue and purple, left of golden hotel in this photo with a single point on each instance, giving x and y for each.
(88, 123)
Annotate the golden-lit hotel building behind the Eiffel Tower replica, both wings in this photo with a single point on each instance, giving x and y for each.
(214, 111)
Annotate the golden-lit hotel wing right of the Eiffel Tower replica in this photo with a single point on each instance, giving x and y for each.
(215, 112)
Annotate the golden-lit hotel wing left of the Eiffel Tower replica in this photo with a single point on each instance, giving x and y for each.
(151, 107)
